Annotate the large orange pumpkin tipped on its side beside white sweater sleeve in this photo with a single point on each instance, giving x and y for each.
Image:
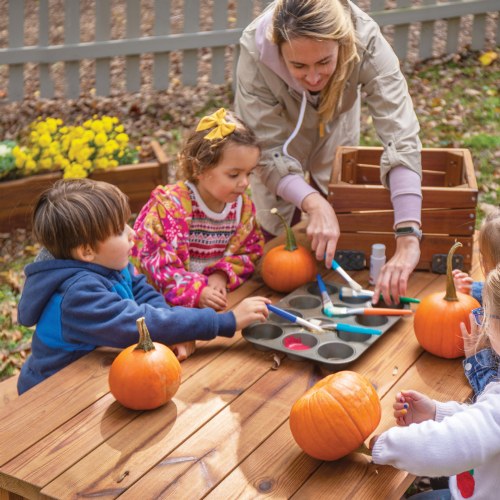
(335, 416)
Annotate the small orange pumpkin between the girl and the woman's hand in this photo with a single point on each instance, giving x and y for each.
(288, 266)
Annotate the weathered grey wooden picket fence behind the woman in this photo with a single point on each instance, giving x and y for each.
(71, 46)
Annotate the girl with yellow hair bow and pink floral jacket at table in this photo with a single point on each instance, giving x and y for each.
(198, 239)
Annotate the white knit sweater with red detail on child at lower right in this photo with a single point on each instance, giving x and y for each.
(462, 438)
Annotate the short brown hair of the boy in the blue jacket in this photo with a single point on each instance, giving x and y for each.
(75, 212)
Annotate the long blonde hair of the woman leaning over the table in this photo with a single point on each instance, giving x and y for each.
(320, 20)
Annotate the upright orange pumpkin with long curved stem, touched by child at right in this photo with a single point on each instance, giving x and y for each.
(437, 319)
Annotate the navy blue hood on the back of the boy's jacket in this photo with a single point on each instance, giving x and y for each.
(43, 279)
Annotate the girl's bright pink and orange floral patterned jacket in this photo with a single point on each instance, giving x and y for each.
(161, 249)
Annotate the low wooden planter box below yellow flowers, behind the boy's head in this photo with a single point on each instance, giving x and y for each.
(17, 197)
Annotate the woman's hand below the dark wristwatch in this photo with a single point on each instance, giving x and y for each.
(393, 277)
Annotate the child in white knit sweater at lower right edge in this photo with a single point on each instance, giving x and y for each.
(451, 439)
